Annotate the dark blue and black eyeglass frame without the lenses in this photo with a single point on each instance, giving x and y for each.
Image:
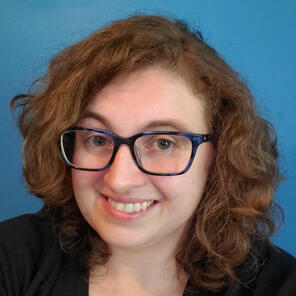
(196, 140)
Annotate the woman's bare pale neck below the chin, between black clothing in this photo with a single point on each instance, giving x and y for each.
(141, 272)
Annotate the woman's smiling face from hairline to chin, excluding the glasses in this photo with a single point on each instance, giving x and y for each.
(146, 100)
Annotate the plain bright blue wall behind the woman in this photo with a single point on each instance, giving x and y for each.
(256, 37)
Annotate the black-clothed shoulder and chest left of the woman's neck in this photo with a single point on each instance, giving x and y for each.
(32, 261)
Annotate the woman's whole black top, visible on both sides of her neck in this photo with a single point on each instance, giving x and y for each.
(32, 263)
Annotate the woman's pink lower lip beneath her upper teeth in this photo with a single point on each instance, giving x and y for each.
(123, 216)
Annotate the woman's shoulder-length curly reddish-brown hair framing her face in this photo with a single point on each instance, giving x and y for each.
(237, 206)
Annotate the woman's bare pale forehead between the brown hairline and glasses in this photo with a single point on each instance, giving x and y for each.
(133, 101)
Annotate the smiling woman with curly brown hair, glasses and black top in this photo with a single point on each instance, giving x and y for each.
(156, 173)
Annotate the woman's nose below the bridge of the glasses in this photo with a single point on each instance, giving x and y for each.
(124, 175)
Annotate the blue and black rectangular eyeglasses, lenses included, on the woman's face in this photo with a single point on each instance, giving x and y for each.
(155, 153)
